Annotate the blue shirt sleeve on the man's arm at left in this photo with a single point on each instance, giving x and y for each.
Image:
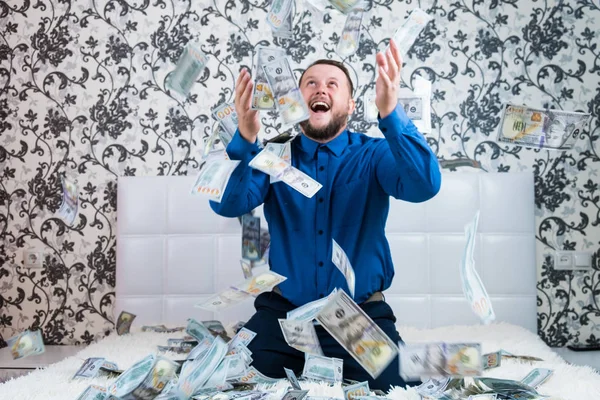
(247, 187)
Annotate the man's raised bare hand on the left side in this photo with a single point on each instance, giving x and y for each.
(248, 119)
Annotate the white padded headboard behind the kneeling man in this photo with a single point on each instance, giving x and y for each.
(174, 251)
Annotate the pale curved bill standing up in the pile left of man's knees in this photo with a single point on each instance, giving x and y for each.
(197, 372)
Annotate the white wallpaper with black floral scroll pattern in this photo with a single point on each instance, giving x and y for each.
(82, 93)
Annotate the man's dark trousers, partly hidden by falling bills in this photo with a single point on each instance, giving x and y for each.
(271, 353)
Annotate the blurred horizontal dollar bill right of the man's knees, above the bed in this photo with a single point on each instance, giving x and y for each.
(440, 359)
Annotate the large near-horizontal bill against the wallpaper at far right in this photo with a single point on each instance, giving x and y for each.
(537, 128)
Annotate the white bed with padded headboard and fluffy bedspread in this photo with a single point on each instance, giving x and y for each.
(185, 253)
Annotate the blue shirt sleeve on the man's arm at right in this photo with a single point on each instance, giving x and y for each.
(405, 166)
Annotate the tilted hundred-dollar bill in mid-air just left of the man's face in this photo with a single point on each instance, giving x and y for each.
(288, 98)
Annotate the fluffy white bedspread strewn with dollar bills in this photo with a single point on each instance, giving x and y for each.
(568, 382)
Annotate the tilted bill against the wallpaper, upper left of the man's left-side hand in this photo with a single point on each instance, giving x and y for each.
(189, 67)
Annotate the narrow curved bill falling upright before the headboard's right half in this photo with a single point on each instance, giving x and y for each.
(471, 283)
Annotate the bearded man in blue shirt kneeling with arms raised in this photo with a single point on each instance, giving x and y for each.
(359, 174)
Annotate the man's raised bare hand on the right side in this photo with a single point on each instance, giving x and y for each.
(388, 81)
